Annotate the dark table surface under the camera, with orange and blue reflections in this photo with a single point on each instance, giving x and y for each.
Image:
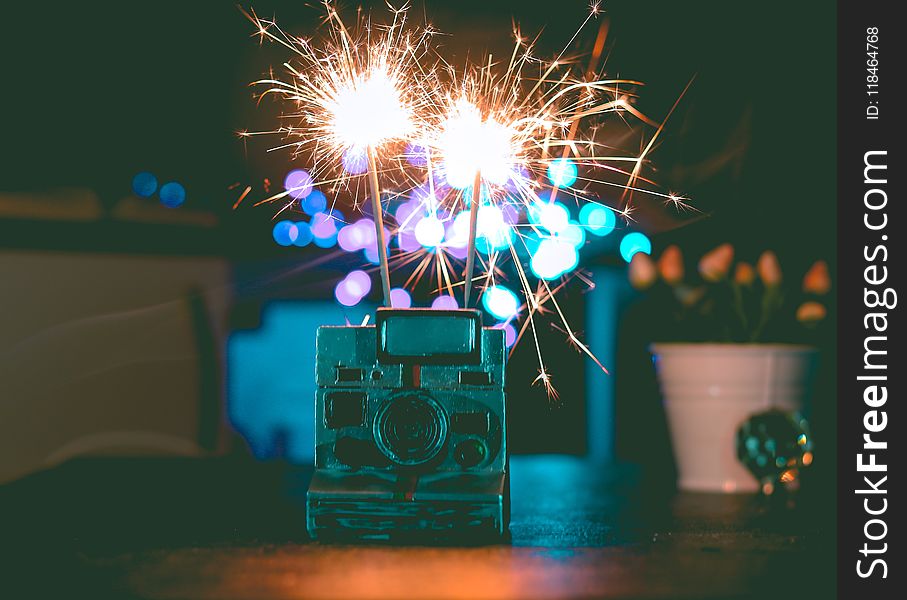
(225, 528)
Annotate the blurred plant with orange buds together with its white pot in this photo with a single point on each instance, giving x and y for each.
(733, 341)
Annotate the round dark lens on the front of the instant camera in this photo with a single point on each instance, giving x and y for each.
(410, 429)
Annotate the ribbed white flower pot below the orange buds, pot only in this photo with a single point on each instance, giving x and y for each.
(710, 389)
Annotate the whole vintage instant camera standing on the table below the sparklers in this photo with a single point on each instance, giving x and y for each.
(410, 437)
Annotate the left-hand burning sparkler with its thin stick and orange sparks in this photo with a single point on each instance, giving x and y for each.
(354, 94)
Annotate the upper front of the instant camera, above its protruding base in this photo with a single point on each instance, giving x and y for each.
(424, 412)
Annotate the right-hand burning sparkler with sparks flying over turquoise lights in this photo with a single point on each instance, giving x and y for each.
(509, 140)
